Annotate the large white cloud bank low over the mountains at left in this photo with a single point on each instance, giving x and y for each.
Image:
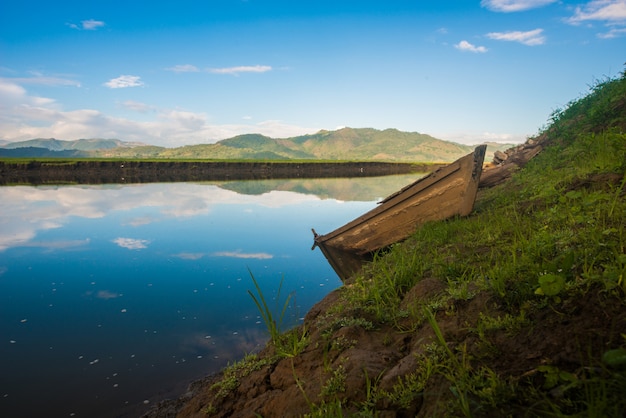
(23, 116)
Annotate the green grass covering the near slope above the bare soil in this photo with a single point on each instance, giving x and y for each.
(556, 231)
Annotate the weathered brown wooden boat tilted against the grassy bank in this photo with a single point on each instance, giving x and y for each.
(446, 192)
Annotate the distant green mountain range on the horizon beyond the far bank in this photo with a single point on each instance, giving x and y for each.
(362, 144)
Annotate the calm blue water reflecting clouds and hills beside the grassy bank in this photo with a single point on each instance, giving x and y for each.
(113, 297)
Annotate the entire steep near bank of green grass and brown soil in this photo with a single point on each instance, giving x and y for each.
(517, 310)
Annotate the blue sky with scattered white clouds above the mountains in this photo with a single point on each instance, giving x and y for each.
(188, 72)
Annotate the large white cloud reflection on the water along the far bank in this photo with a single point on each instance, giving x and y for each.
(26, 211)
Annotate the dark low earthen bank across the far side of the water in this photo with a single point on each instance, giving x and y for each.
(51, 171)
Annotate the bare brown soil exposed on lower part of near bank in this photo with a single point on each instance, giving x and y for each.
(569, 337)
